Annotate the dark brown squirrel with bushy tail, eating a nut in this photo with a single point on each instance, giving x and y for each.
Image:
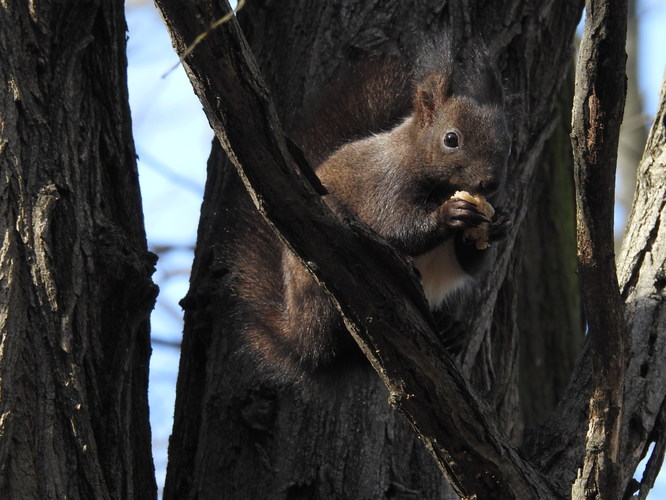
(391, 141)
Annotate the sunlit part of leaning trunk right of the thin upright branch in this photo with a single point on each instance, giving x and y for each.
(642, 276)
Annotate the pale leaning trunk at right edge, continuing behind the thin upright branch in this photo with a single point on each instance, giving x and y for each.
(641, 276)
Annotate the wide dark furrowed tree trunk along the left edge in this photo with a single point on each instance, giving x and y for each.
(74, 267)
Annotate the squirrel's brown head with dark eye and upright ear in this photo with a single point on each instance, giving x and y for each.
(462, 141)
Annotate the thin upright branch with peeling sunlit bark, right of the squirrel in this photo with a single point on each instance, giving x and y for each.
(597, 115)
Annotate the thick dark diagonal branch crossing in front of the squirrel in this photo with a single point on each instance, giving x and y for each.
(394, 329)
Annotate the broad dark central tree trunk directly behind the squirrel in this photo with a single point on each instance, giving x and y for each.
(239, 438)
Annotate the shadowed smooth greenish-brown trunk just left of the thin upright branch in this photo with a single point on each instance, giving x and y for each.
(550, 314)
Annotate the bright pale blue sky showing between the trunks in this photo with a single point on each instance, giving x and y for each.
(173, 140)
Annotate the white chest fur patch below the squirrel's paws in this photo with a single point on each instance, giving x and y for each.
(441, 273)
